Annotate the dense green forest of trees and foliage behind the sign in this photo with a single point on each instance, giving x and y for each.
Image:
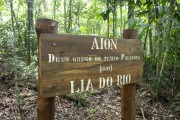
(157, 21)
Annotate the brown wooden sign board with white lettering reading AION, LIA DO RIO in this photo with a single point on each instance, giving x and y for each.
(77, 63)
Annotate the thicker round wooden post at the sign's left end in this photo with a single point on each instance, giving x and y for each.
(45, 106)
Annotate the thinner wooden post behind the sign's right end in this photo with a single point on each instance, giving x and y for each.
(128, 106)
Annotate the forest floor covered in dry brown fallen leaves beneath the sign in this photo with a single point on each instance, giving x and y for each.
(101, 105)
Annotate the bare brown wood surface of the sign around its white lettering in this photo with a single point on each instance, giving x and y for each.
(55, 77)
